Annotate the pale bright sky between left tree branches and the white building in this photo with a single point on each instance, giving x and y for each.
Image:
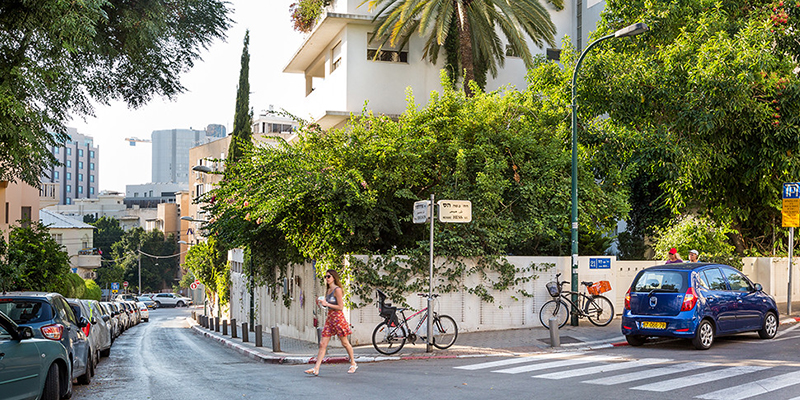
(210, 94)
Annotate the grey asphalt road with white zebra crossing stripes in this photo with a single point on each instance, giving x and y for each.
(164, 359)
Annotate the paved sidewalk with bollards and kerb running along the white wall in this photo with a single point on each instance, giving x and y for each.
(585, 336)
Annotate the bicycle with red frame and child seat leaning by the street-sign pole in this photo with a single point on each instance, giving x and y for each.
(391, 335)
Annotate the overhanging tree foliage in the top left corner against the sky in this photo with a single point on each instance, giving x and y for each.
(61, 57)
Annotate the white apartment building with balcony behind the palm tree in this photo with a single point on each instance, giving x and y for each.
(341, 76)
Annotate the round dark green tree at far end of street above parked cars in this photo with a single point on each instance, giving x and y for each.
(158, 259)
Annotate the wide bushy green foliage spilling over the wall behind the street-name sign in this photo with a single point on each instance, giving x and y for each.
(351, 190)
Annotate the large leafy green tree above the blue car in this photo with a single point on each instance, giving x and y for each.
(707, 102)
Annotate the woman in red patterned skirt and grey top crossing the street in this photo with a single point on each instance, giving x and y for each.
(335, 323)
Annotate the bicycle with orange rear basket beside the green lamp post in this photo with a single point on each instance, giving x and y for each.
(597, 308)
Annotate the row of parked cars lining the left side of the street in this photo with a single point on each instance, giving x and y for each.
(47, 341)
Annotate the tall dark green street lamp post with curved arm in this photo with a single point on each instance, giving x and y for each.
(631, 30)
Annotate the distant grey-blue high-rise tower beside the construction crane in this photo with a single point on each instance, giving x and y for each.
(171, 151)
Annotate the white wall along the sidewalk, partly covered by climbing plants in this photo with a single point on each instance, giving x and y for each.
(511, 308)
